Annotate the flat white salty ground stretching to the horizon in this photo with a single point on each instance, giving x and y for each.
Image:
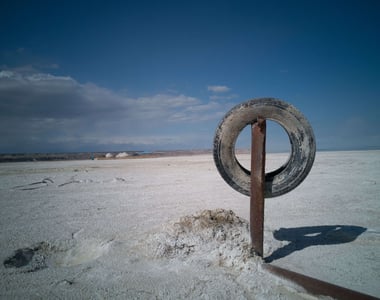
(162, 228)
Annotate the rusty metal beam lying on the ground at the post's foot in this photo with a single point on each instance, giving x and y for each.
(318, 287)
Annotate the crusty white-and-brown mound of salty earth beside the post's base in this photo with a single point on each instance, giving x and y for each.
(217, 236)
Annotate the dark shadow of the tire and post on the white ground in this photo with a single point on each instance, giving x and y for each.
(303, 237)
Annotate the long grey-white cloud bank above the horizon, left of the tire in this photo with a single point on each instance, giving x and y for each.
(40, 110)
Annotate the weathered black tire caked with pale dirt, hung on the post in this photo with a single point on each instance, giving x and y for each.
(301, 137)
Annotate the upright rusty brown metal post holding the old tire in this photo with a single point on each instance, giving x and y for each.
(257, 185)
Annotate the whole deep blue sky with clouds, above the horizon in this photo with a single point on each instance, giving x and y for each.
(159, 75)
